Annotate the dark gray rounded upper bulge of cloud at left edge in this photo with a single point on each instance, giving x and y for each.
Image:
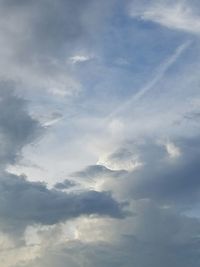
(17, 128)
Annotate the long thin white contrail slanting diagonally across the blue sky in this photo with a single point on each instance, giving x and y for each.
(159, 75)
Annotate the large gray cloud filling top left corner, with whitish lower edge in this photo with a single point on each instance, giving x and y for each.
(37, 38)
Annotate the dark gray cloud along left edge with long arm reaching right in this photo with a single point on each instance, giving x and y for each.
(23, 202)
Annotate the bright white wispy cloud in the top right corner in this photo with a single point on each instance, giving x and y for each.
(177, 15)
